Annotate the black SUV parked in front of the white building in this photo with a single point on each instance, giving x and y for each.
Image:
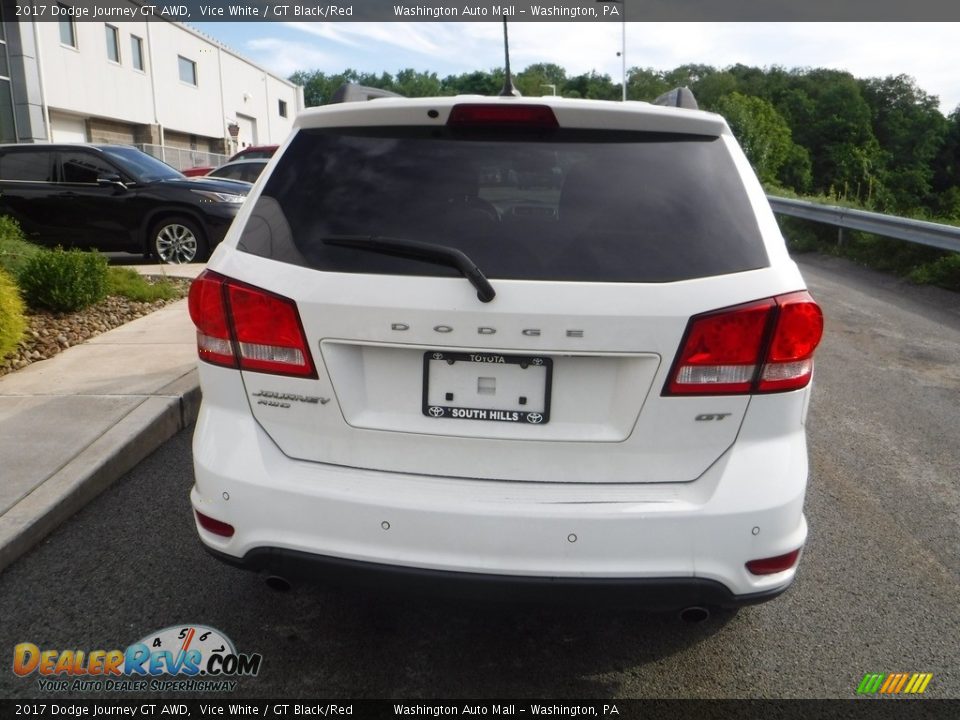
(114, 197)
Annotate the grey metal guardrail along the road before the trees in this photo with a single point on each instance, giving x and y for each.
(945, 237)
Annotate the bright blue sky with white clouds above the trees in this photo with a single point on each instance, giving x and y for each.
(929, 52)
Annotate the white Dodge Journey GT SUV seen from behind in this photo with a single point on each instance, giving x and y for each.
(521, 342)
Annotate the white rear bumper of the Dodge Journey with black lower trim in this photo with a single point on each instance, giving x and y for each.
(671, 544)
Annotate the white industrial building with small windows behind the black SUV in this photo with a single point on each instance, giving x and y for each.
(162, 86)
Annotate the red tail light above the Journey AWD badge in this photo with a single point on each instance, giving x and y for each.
(241, 326)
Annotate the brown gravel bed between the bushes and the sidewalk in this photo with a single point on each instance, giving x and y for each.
(51, 333)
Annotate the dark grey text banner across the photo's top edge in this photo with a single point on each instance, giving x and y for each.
(485, 11)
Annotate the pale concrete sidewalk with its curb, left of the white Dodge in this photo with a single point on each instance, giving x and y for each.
(72, 425)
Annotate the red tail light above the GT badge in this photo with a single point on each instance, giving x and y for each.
(760, 347)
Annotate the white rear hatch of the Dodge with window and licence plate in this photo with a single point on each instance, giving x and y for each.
(601, 235)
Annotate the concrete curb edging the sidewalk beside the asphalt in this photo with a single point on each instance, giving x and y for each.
(141, 431)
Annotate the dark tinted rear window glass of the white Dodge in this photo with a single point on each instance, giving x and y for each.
(564, 205)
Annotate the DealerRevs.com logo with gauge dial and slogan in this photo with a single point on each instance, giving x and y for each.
(199, 658)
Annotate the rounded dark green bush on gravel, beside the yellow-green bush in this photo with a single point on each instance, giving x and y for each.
(64, 280)
